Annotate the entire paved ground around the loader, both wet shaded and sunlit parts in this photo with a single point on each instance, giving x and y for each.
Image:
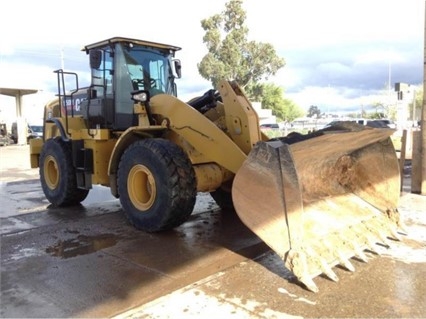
(87, 261)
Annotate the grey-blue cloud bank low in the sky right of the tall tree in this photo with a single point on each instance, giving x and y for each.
(355, 71)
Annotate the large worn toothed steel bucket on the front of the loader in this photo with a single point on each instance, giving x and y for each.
(322, 200)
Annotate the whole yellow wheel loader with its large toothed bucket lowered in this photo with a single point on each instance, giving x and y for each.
(317, 200)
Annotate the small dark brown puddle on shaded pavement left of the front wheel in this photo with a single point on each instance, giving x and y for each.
(82, 245)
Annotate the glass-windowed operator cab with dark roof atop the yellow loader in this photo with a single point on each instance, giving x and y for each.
(120, 67)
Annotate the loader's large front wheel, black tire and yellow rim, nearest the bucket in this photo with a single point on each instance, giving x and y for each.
(156, 184)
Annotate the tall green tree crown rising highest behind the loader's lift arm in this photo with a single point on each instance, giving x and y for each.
(230, 55)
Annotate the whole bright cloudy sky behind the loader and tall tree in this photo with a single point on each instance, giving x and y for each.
(342, 56)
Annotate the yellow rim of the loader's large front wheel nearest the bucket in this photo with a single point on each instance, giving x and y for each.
(141, 187)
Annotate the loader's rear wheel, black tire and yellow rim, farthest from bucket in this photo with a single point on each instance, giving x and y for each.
(57, 174)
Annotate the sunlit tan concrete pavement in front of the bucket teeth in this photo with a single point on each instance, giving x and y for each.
(389, 286)
